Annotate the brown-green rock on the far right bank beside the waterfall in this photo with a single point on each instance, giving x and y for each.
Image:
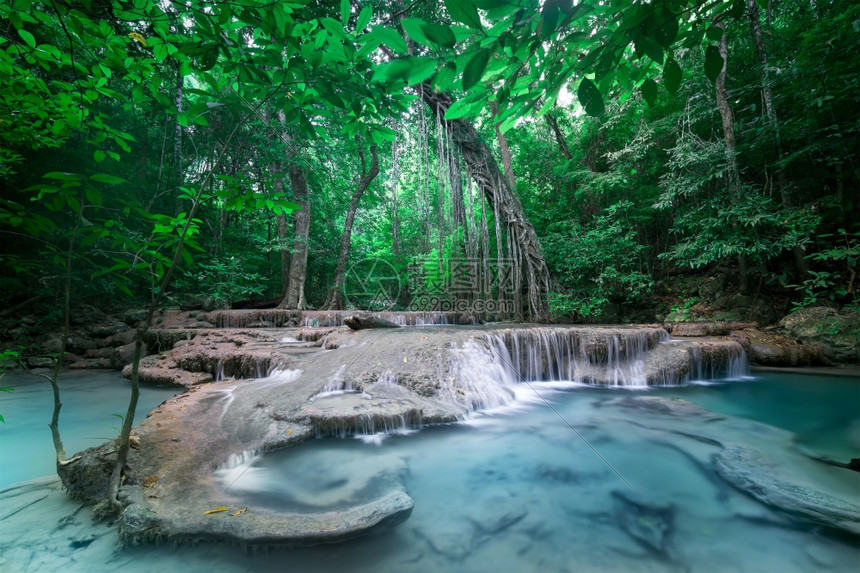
(837, 332)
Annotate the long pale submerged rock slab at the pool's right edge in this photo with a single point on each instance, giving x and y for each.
(751, 471)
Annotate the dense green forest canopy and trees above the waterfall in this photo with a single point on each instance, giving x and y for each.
(562, 159)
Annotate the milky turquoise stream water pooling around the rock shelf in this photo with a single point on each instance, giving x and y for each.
(509, 490)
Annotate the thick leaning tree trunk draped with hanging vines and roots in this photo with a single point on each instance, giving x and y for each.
(483, 168)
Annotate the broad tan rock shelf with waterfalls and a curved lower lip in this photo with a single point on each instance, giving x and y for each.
(281, 386)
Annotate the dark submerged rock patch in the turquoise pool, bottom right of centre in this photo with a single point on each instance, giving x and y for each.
(649, 521)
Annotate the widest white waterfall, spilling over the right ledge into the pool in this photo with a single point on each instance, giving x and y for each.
(628, 357)
